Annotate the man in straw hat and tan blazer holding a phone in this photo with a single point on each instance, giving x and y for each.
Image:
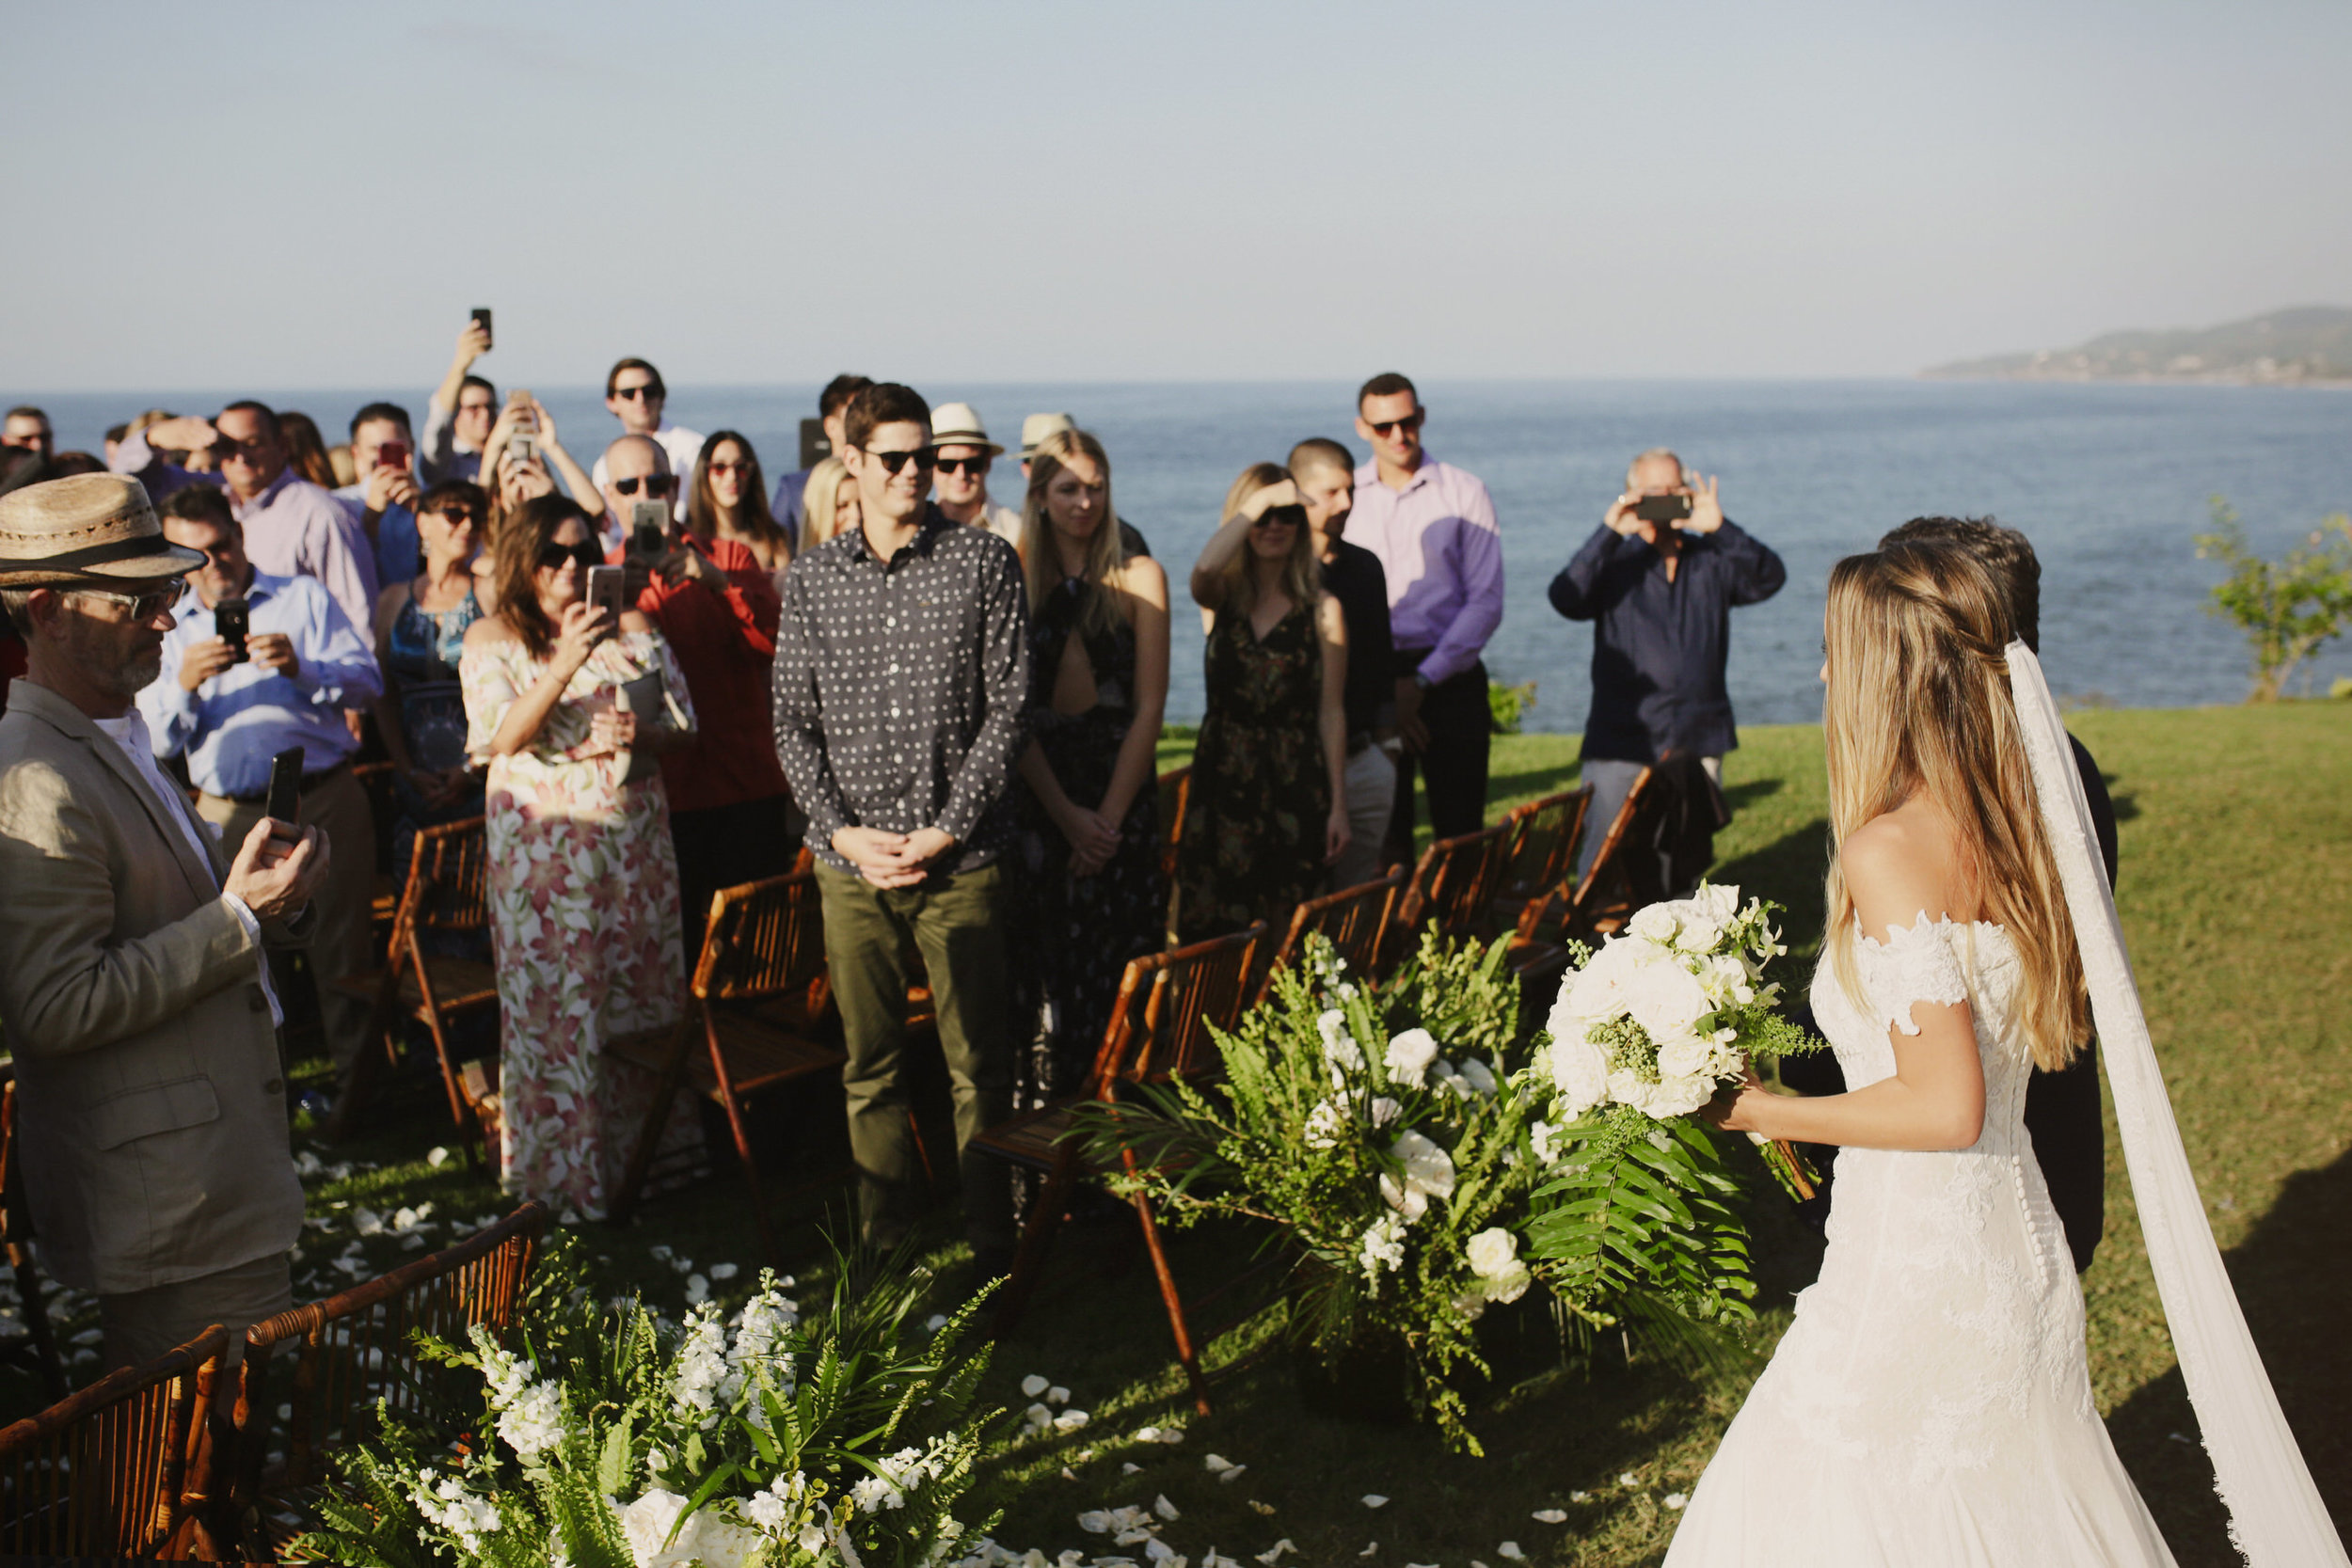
(133, 979)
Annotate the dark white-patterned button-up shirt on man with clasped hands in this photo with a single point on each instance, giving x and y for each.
(902, 685)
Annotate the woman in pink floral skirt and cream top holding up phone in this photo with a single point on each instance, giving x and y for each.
(582, 873)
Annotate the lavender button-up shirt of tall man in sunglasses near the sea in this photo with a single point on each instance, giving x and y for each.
(1443, 554)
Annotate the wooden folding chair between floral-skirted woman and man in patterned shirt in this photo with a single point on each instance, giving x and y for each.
(749, 1026)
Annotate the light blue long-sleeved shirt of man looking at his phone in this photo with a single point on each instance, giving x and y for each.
(239, 721)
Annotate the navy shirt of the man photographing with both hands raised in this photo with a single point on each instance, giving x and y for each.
(1659, 648)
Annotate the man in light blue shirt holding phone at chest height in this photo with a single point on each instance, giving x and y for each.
(229, 711)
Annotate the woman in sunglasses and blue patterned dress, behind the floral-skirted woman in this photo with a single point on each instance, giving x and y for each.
(420, 641)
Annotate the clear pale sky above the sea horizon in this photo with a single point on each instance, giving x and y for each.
(316, 194)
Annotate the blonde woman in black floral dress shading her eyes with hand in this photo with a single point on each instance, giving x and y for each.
(1269, 803)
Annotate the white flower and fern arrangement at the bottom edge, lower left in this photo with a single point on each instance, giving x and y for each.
(610, 1440)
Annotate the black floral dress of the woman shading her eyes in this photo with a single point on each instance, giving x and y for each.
(1255, 826)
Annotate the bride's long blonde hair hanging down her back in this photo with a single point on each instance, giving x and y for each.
(1920, 704)
